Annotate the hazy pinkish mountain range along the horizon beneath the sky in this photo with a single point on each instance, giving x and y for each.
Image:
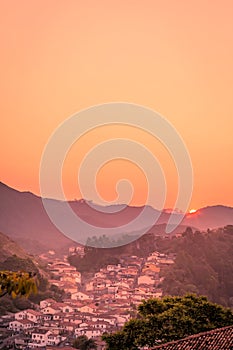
(24, 219)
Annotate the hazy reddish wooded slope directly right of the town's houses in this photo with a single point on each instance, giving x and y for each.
(204, 264)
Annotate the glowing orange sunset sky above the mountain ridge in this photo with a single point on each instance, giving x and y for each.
(58, 57)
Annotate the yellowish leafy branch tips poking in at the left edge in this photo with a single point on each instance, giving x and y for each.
(17, 283)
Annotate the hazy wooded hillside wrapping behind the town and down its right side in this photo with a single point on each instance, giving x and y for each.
(203, 264)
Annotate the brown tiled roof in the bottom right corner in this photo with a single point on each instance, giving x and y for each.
(217, 339)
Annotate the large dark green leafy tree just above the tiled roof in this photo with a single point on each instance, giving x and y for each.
(167, 319)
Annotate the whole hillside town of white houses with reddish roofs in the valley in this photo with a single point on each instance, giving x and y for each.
(91, 307)
